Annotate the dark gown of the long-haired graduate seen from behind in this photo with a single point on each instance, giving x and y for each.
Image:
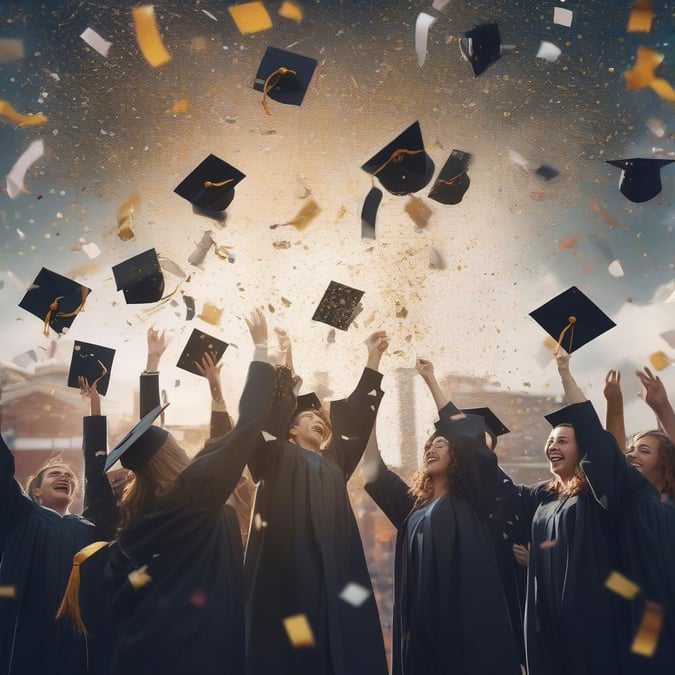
(188, 617)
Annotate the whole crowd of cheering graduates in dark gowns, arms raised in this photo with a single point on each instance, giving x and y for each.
(247, 558)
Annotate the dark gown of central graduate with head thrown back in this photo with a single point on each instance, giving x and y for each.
(309, 548)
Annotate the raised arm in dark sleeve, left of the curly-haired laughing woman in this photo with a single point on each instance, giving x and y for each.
(387, 489)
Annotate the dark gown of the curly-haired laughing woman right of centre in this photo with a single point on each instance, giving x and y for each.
(450, 612)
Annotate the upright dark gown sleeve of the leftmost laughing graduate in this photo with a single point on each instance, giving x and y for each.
(100, 505)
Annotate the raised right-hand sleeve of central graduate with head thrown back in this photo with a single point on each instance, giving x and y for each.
(352, 420)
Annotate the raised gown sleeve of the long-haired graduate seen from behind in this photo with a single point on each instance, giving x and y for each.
(213, 474)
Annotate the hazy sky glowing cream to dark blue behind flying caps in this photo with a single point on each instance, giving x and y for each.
(515, 240)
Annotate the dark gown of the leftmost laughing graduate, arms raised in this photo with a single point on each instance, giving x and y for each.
(38, 548)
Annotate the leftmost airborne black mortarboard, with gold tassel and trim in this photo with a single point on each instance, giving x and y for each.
(54, 299)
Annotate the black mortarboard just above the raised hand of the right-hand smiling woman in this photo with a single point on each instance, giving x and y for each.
(572, 319)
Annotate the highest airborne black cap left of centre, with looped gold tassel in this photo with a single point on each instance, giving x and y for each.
(284, 76)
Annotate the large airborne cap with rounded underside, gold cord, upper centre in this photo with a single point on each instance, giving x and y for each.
(403, 165)
